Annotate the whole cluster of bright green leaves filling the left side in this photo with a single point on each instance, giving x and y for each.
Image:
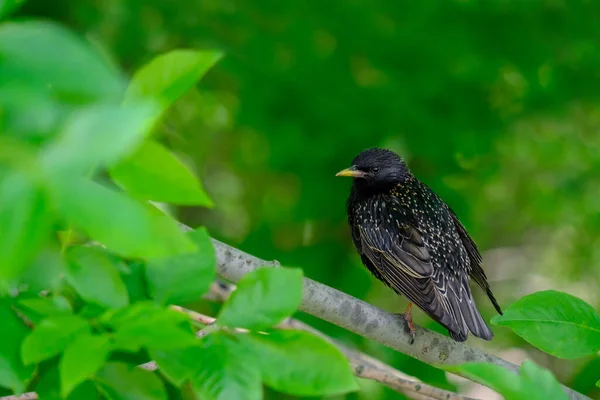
(121, 261)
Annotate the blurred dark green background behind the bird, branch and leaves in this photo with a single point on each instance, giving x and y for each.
(495, 105)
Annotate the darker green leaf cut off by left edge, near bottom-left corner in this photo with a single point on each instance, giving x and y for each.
(13, 374)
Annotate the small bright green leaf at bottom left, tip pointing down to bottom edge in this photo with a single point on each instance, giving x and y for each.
(81, 360)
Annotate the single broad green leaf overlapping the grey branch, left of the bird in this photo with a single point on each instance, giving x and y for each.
(263, 298)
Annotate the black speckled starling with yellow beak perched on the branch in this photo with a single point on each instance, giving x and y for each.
(412, 241)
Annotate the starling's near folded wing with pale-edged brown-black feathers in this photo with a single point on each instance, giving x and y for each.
(395, 248)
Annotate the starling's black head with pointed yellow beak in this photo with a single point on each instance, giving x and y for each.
(377, 169)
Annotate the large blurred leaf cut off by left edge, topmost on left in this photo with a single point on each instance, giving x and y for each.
(33, 54)
